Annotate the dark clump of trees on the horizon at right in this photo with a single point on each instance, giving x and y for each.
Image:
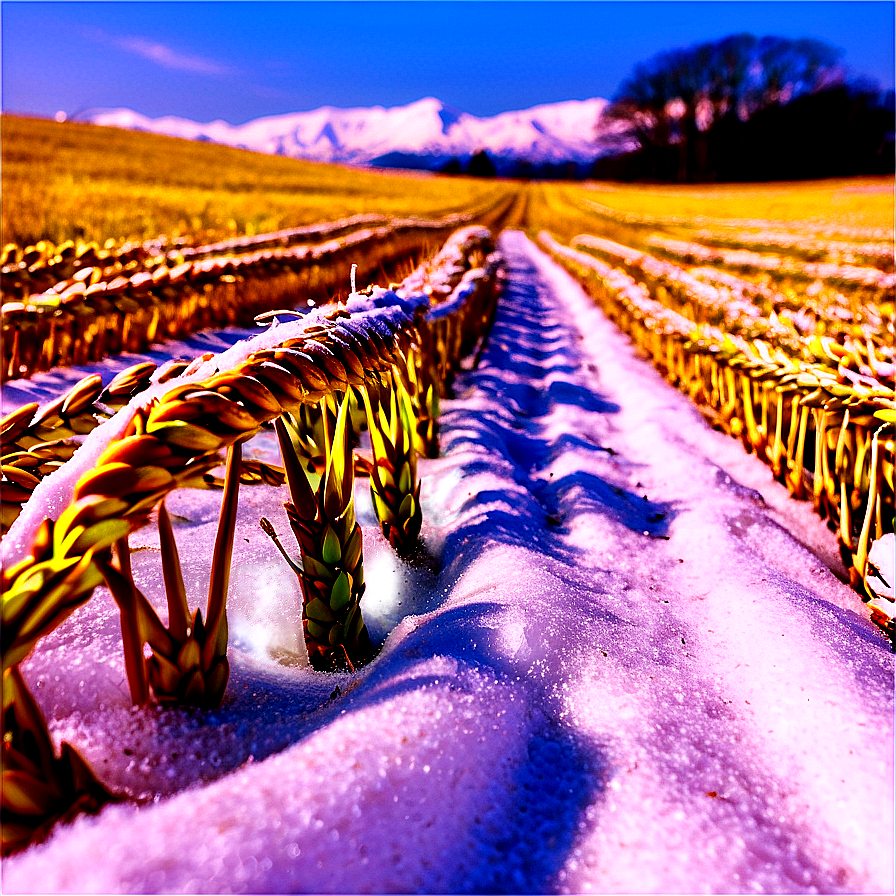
(745, 109)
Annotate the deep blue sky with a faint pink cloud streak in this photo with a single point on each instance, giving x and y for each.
(240, 60)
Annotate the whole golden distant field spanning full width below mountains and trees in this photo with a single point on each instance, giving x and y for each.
(70, 181)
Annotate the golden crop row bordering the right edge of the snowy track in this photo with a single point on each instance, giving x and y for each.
(826, 433)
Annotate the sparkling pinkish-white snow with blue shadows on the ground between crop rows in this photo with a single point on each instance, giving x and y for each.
(634, 672)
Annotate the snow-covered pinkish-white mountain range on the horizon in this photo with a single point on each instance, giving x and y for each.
(427, 131)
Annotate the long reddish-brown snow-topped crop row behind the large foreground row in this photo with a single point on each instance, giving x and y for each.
(98, 314)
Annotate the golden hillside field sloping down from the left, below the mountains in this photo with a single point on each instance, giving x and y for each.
(68, 181)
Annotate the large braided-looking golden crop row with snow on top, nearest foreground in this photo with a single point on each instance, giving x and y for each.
(379, 355)
